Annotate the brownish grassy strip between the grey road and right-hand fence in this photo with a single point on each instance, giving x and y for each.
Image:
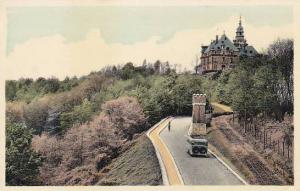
(235, 151)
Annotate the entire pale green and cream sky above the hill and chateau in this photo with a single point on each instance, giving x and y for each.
(68, 41)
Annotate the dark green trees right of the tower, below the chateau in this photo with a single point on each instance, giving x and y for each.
(260, 84)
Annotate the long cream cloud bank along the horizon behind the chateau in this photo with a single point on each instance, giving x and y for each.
(53, 56)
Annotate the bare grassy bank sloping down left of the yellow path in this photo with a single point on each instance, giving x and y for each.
(136, 166)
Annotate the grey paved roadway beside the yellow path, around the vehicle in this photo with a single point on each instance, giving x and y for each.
(194, 170)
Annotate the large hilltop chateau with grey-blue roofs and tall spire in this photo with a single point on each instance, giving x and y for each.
(222, 53)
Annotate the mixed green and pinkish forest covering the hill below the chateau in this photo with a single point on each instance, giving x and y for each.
(61, 130)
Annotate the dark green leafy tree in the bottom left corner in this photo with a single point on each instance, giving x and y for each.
(22, 163)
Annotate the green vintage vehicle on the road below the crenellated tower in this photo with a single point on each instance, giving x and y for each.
(197, 146)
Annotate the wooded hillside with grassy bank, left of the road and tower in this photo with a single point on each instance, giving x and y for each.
(80, 128)
